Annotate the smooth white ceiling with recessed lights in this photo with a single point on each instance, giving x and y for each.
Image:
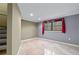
(46, 11)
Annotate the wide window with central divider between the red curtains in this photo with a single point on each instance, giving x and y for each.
(53, 26)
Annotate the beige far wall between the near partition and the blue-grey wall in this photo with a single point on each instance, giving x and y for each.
(28, 29)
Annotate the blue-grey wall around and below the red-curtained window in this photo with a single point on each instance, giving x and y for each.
(72, 31)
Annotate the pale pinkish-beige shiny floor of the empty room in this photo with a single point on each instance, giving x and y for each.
(40, 46)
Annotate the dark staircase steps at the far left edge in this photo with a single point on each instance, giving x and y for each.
(3, 37)
